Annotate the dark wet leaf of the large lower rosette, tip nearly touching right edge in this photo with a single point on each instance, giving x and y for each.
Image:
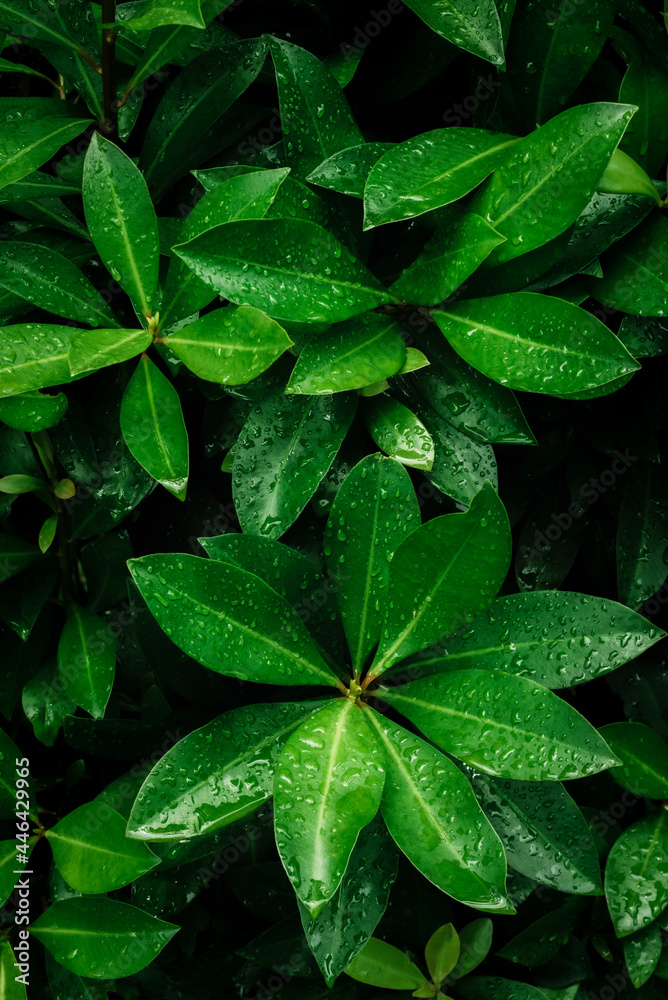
(523, 634)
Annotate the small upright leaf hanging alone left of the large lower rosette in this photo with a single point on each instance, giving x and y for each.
(87, 660)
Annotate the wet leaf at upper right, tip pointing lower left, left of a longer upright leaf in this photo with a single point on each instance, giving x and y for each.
(431, 170)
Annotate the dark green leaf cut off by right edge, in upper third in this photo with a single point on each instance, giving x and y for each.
(635, 271)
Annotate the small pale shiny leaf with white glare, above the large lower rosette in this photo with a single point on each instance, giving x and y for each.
(398, 432)
